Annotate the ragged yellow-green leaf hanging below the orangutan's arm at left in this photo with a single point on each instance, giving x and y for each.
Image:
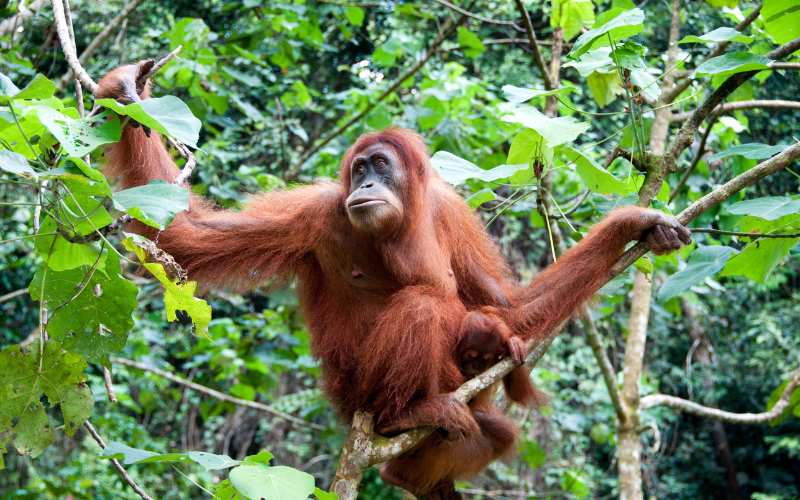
(177, 296)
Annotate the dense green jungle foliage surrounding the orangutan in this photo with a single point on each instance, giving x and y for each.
(270, 95)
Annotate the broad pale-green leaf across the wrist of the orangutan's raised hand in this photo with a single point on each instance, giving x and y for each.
(167, 115)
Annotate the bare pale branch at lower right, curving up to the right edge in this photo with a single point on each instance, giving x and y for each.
(684, 405)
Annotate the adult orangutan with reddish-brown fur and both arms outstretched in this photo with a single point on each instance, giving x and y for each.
(390, 261)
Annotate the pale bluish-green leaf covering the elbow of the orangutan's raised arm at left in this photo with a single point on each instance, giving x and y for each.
(154, 204)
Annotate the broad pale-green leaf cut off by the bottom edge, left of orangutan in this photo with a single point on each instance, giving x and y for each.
(257, 481)
